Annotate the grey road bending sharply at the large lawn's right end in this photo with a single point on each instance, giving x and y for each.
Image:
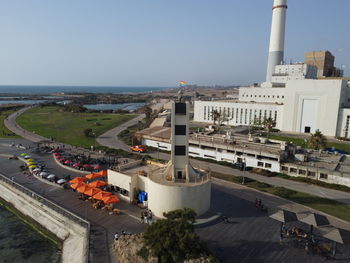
(110, 139)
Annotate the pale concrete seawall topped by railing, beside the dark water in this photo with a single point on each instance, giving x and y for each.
(72, 230)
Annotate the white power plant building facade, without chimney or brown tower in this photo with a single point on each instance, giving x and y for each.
(297, 103)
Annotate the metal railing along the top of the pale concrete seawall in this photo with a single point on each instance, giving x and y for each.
(76, 219)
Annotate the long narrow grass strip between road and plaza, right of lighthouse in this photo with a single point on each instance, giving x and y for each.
(325, 205)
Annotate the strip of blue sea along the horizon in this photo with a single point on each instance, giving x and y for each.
(30, 90)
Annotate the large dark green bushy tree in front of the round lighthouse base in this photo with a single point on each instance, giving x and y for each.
(173, 239)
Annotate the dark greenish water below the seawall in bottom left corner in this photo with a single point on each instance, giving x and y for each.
(20, 243)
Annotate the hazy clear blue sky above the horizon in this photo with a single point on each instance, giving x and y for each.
(158, 42)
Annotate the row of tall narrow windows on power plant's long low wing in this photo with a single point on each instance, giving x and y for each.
(239, 115)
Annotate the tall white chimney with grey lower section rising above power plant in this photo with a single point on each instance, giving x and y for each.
(278, 28)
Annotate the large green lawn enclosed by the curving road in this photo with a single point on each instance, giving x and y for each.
(69, 127)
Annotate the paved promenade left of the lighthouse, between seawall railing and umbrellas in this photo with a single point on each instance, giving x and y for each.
(103, 225)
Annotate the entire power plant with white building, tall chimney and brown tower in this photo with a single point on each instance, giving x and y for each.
(301, 97)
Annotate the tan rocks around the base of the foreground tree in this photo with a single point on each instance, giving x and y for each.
(126, 248)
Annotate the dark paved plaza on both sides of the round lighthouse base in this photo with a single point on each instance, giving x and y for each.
(250, 236)
